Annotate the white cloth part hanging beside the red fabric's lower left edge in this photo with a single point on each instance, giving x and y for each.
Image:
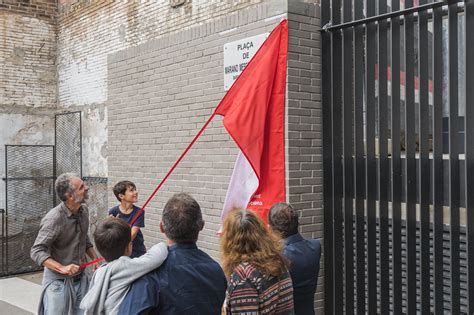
(242, 185)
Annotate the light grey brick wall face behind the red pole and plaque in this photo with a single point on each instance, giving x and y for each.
(160, 94)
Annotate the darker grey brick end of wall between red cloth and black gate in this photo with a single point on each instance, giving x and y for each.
(304, 124)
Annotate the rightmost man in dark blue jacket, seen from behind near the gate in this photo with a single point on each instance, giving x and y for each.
(304, 256)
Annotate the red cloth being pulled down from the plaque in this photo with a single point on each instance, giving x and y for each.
(254, 111)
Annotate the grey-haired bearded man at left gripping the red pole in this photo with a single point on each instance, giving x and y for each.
(61, 247)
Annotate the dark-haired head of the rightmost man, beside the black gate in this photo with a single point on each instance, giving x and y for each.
(283, 219)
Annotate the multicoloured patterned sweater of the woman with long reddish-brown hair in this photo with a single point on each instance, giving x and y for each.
(250, 292)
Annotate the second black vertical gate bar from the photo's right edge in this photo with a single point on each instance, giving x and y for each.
(454, 186)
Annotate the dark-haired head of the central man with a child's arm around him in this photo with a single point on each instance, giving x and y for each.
(182, 219)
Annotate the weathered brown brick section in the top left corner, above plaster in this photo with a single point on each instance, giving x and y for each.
(28, 54)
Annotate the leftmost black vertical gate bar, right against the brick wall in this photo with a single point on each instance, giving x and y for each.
(327, 162)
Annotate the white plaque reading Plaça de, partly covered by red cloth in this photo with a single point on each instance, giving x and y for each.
(237, 54)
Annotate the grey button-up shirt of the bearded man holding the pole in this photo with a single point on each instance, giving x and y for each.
(63, 236)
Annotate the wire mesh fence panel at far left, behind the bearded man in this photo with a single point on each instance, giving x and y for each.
(29, 195)
